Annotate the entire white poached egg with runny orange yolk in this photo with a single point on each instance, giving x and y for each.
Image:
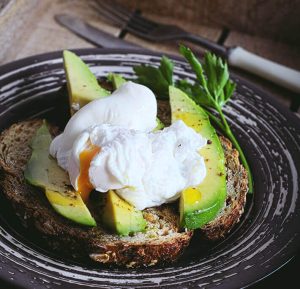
(108, 144)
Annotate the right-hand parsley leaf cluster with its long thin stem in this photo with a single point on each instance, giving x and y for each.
(212, 89)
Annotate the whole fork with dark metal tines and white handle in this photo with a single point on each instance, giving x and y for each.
(236, 56)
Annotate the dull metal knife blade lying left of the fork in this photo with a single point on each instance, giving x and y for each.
(93, 34)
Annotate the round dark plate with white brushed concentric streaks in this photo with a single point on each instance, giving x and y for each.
(266, 238)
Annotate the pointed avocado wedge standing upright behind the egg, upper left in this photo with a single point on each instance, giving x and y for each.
(83, 86)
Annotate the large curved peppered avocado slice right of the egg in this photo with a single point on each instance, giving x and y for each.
(199, 205)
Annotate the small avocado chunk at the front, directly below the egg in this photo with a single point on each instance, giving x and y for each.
(121, 217)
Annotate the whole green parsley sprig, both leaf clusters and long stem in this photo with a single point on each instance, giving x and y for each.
(211, 90)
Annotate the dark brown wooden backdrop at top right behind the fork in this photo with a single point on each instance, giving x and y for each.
(274, 19)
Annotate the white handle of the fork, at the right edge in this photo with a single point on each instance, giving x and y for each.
(277, 73)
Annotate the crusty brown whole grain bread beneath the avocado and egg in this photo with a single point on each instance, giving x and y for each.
(162, 242)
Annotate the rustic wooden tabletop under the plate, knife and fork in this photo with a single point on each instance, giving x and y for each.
(28, 28)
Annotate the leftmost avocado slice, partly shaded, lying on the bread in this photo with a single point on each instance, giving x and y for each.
(42, 171)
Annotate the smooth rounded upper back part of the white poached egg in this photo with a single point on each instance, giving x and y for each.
(131, 106)
